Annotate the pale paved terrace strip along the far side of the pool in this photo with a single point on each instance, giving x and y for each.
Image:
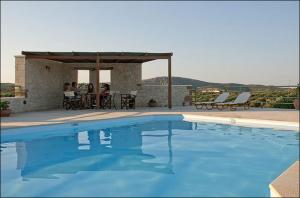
(64, 116)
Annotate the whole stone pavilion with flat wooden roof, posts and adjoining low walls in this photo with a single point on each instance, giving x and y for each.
(40, 77)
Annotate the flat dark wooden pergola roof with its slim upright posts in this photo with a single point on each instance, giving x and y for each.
(102, 58)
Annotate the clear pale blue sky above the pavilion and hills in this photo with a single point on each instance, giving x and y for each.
(241, 42)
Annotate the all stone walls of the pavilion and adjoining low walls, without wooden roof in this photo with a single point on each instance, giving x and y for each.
(44, 79)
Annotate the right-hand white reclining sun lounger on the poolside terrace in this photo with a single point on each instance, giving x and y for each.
(241, 100)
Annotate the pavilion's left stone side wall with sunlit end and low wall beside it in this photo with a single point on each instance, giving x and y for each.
(43, 81)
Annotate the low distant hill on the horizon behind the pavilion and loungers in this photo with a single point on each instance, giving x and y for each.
(203, 84)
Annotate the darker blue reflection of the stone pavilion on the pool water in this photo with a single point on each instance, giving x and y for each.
(112, 149)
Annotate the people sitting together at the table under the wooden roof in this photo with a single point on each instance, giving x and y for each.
(87, 99)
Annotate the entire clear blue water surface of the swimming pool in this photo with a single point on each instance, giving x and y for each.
(150, 156)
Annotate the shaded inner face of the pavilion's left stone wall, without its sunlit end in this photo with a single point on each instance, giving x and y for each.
(44, 81)
